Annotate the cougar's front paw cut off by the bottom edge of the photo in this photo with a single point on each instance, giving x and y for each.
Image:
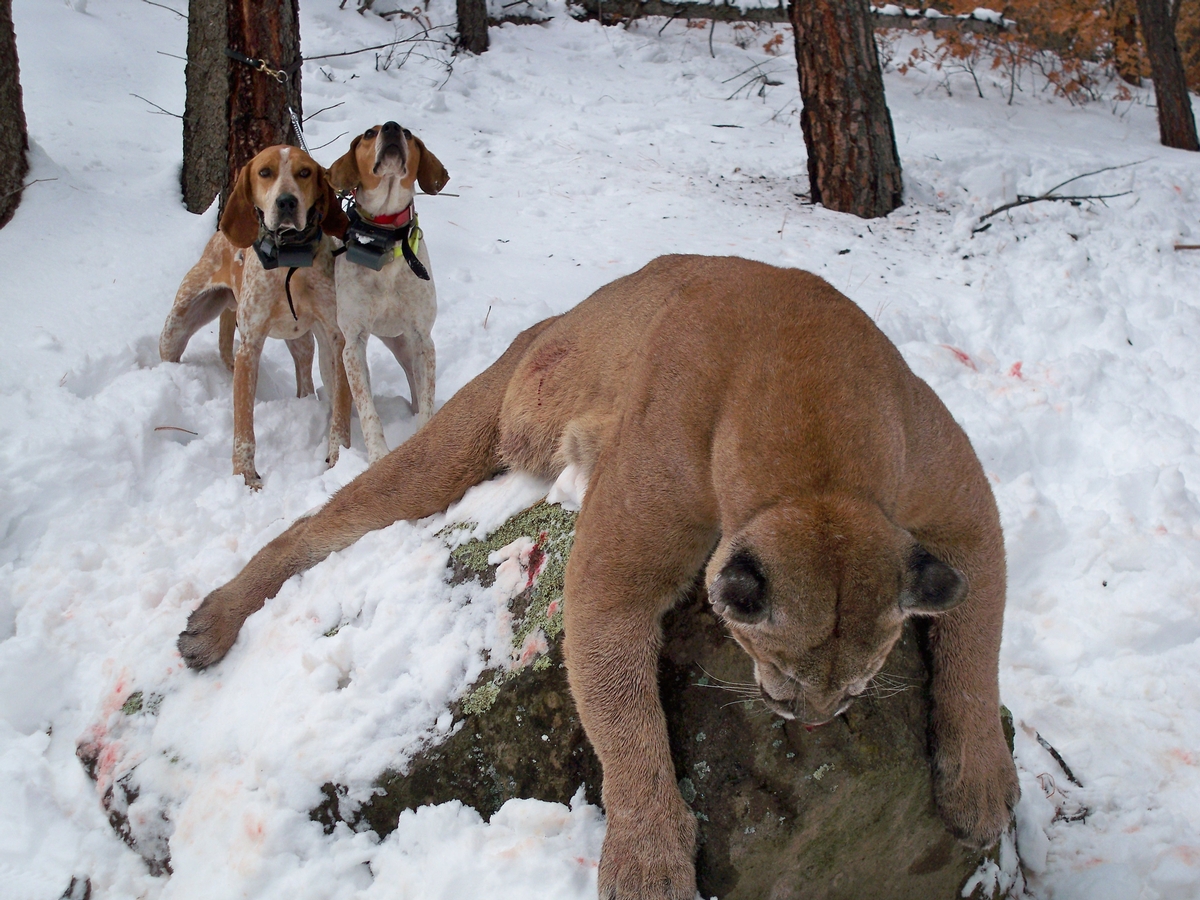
(650, 857)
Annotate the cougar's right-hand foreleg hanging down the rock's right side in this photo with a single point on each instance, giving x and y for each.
(975, 779)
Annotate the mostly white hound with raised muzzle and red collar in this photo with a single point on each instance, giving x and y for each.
(398, 302)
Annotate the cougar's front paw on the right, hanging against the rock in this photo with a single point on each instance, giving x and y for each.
(977, 790)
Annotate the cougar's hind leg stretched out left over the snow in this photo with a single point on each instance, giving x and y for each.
(425, 476)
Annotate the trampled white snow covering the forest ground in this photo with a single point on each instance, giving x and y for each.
(1064, 339)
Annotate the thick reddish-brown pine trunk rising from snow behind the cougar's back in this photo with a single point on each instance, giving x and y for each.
(854, 166)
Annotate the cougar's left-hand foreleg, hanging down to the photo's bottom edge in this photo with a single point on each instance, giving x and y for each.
(619, 585)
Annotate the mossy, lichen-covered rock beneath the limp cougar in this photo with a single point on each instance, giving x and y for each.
(841, 812)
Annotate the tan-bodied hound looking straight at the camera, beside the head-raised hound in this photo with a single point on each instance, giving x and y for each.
(285, 197)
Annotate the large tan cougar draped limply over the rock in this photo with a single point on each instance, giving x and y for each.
(745, 417)
